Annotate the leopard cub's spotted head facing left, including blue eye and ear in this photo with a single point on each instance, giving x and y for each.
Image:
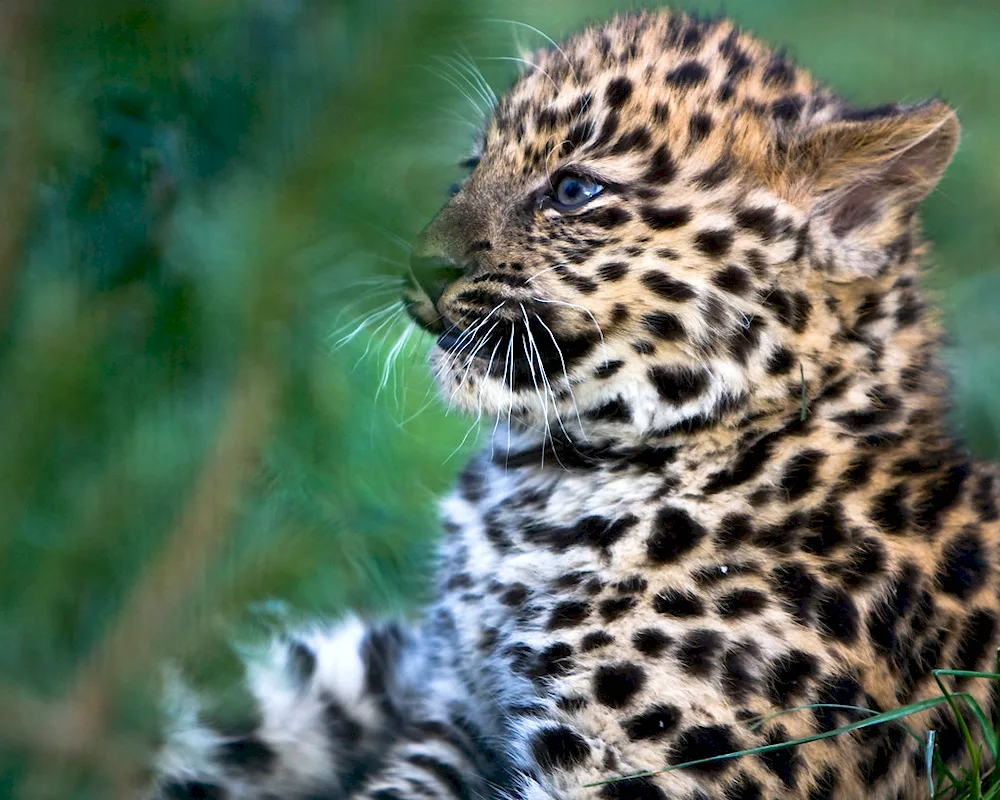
(664, 223)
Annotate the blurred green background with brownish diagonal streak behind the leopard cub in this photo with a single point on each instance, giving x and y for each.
(202, 199)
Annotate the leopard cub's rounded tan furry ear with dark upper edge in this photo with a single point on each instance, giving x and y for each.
(864, 174)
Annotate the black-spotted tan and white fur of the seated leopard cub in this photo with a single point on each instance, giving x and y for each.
(720, 483)
